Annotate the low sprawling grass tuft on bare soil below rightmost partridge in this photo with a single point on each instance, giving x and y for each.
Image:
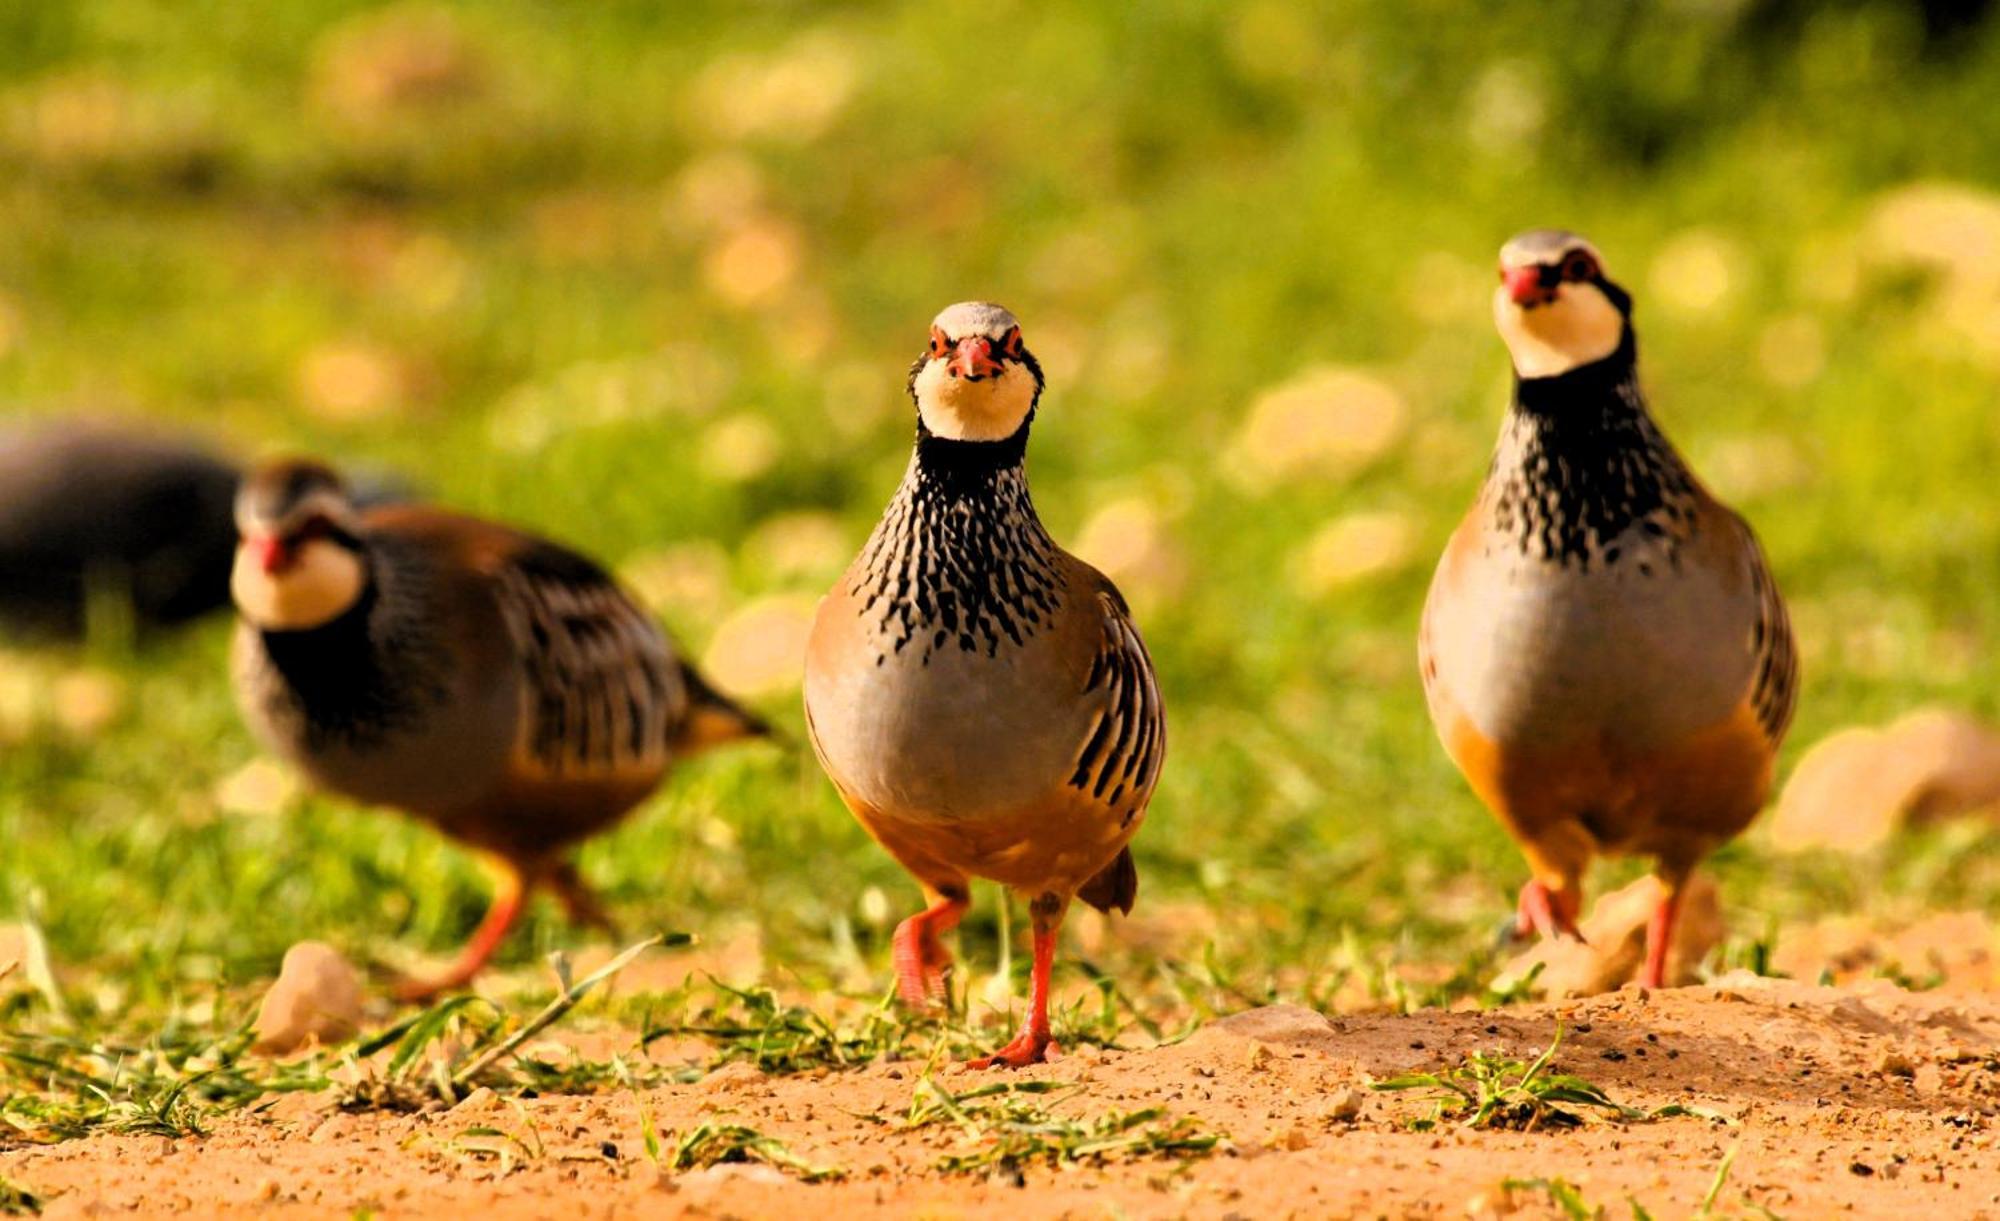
(1493, 1090)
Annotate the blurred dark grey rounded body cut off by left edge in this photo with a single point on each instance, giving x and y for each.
(111, 511)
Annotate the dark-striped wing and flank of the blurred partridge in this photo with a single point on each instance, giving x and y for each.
(603, 694)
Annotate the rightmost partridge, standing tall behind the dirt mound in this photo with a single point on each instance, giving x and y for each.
(1603, 650)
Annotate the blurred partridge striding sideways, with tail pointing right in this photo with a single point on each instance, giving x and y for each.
(487, 682)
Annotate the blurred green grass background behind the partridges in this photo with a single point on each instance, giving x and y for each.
(647, 277)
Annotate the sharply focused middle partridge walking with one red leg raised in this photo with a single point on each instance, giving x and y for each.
(981, 698)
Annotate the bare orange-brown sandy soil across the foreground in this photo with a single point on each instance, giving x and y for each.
(1865, 1100)
